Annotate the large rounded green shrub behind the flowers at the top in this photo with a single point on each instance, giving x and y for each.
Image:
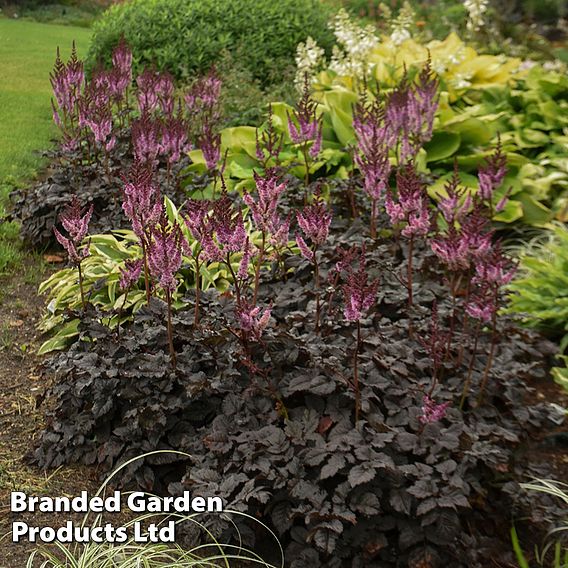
(186, 37)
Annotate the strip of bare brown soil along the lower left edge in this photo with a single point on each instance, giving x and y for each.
(21, 414)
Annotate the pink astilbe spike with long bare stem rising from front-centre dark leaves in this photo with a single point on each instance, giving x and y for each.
(360, 295)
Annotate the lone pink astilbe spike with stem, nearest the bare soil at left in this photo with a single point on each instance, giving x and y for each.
(75, 221)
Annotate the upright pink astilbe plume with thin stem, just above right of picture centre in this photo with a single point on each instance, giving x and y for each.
(314, 221)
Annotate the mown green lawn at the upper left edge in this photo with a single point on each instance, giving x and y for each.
(27, 53)
